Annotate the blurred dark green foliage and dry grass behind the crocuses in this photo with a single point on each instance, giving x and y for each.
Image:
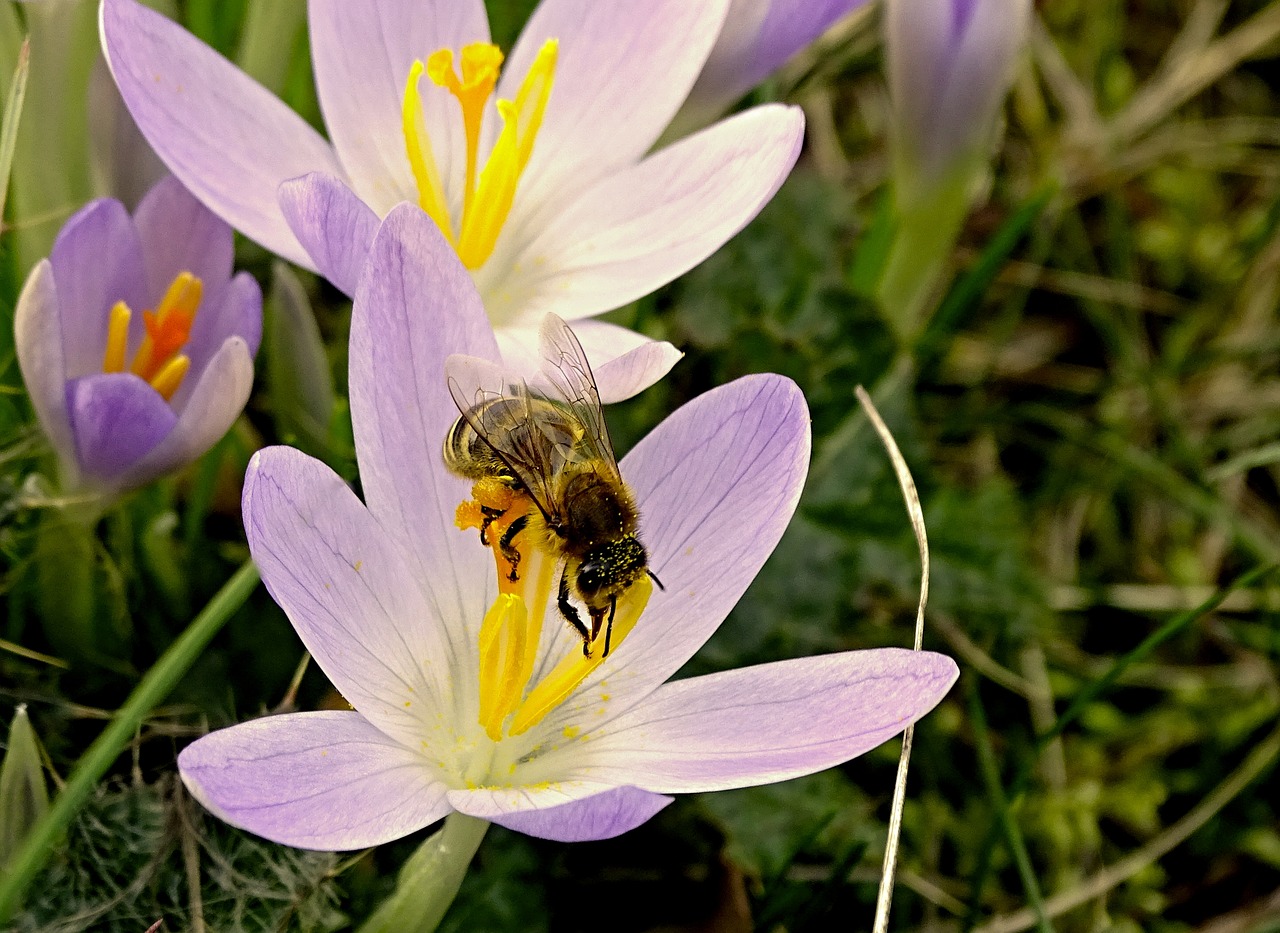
(1091, 417)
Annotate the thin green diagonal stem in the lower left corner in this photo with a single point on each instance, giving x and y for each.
(154, 688)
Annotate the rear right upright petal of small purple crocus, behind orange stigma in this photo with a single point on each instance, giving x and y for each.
(180, 235)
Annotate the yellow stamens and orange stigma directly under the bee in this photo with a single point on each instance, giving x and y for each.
(513, 628)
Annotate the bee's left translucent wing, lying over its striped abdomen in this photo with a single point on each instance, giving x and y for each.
(522, 428)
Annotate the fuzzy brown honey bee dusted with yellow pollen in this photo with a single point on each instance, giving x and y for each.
(550, 443)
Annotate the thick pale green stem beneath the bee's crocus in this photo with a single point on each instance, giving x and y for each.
(431, 879)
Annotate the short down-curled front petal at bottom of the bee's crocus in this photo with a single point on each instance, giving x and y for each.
(600, 817)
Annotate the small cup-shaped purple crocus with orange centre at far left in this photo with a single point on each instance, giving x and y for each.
(135, 341)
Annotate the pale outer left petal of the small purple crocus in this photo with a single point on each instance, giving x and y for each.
(38, 339)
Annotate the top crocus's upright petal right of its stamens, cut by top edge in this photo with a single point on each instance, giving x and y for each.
(623, 71)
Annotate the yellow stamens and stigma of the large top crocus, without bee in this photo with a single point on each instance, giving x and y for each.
(486, 203)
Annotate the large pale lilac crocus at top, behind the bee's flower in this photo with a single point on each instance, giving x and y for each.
(536, 166)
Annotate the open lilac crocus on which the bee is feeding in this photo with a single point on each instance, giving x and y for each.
(478, 699)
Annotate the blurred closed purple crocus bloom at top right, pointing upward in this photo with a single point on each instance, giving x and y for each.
(950, 65)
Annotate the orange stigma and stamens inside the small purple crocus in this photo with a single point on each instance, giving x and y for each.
(168, 330)
